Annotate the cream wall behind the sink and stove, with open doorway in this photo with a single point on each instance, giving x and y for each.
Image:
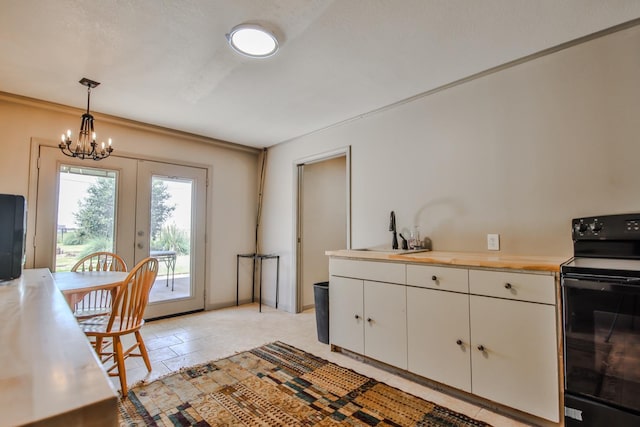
(519, 152)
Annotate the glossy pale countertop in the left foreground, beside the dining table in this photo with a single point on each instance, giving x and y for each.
(49, 374)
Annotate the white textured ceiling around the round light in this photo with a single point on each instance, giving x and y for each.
(167, 62)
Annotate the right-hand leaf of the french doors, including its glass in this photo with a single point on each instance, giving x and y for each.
(170, 226)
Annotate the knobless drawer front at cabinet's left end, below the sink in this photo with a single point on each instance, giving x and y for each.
(368, 270)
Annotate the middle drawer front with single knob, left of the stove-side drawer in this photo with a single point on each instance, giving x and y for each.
(443, 278)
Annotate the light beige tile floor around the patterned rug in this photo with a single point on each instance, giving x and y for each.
(187, 340)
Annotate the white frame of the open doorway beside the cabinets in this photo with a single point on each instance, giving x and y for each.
(298, 178)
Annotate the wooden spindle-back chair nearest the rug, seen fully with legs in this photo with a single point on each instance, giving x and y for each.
(106, 332)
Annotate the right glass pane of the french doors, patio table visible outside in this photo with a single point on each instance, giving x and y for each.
(171, 201)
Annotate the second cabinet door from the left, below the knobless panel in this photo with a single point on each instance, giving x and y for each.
(385, 337)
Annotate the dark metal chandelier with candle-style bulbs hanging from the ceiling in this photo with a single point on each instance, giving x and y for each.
(86, 146)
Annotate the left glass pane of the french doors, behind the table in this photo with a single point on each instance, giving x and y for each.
(86, 213)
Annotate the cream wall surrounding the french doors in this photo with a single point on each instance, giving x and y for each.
(233, 184)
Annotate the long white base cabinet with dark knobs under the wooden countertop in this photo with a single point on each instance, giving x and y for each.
(490, 333)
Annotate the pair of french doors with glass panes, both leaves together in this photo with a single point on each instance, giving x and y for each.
(135, 208)
